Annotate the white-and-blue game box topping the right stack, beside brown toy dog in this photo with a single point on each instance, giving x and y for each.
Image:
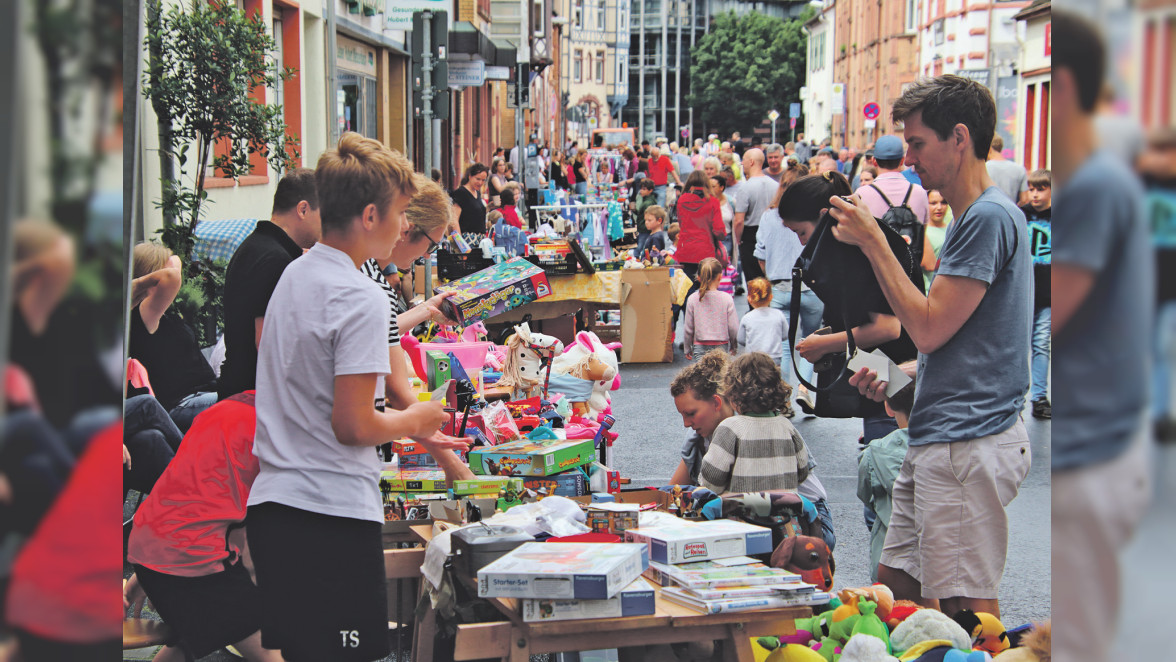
(683, 543)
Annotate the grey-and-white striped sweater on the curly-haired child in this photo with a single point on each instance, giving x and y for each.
(753, 454)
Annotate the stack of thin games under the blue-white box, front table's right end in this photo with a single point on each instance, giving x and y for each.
(738, 584)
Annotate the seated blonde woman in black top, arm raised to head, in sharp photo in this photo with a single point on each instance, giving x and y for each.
(181, 376)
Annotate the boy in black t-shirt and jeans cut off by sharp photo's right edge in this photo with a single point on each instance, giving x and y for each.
(1038, 216)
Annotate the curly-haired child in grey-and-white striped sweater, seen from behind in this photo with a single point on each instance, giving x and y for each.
(758, 449)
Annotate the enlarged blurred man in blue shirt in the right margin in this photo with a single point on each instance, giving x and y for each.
(1102, 319)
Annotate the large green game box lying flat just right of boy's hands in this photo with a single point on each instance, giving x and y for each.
(532, 458)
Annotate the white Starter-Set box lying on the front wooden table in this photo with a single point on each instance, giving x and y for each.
(582, 571)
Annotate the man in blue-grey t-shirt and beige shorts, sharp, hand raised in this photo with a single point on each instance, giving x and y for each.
(970, 450)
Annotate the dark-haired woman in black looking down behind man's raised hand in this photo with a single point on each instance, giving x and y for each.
(801, 206)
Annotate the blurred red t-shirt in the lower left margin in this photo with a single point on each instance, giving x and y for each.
(66, 581)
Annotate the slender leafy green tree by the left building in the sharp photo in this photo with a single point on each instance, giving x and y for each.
(204, 68)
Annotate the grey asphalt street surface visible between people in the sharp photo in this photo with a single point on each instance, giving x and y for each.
(651, 438)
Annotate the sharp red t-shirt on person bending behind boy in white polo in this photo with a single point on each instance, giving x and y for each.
(182, 529)
